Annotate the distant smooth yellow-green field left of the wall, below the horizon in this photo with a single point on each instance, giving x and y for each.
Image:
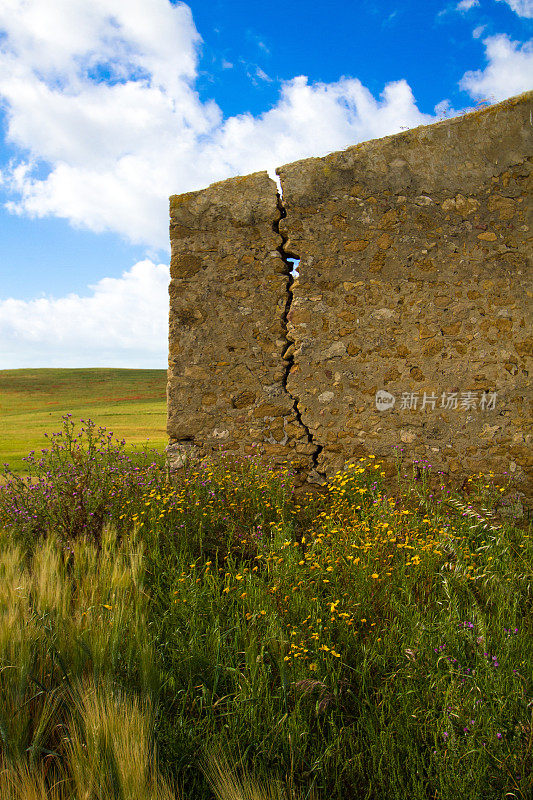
(130, 402)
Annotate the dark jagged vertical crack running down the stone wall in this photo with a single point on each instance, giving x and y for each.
(315, 476)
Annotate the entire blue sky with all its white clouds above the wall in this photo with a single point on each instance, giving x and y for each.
(108, 107)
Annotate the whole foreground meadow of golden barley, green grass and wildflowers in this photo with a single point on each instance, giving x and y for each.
(220, 635)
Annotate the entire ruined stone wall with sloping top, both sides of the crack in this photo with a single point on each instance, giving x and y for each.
(413, 281)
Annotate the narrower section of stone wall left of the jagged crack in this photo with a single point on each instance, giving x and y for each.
(228, 294)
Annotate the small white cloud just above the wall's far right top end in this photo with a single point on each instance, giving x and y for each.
(508, 72)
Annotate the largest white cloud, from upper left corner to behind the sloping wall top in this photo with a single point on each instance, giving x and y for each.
(105, 154)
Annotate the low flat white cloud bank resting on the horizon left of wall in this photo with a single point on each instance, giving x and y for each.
(122, 322)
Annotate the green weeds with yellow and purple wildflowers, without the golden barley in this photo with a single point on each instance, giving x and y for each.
(348, 642)
